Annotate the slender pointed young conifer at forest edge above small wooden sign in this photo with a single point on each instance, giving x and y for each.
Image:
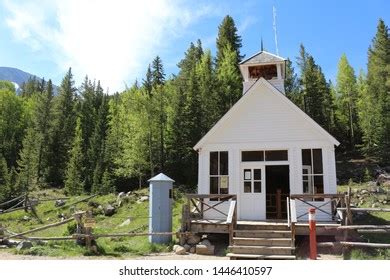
(74, 184)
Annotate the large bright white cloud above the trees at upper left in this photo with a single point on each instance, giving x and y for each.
(108, 40)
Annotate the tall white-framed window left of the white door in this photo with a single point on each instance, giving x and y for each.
(219, 172)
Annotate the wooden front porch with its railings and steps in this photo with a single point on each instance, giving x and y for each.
(267, 239)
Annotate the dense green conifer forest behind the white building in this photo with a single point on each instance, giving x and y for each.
(86, 141)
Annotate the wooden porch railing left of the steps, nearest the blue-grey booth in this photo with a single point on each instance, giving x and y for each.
(199, 204)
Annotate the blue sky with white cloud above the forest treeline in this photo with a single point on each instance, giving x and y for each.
(113, 41)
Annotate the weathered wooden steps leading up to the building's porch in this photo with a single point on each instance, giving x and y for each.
(262, 241)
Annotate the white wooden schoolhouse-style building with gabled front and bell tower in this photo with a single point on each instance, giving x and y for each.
(266, 146)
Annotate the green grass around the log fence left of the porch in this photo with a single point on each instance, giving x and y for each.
(123, 247)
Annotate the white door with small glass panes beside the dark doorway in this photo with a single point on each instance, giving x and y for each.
(251, 203)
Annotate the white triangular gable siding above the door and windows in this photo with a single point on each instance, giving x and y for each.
(263, 118)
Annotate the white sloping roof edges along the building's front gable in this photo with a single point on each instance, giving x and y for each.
(278, 97)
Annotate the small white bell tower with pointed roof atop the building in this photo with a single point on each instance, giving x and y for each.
(263, 65)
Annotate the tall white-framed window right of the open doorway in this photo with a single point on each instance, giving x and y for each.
(312, 171)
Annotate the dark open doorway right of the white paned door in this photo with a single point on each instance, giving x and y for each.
(277, 191)
